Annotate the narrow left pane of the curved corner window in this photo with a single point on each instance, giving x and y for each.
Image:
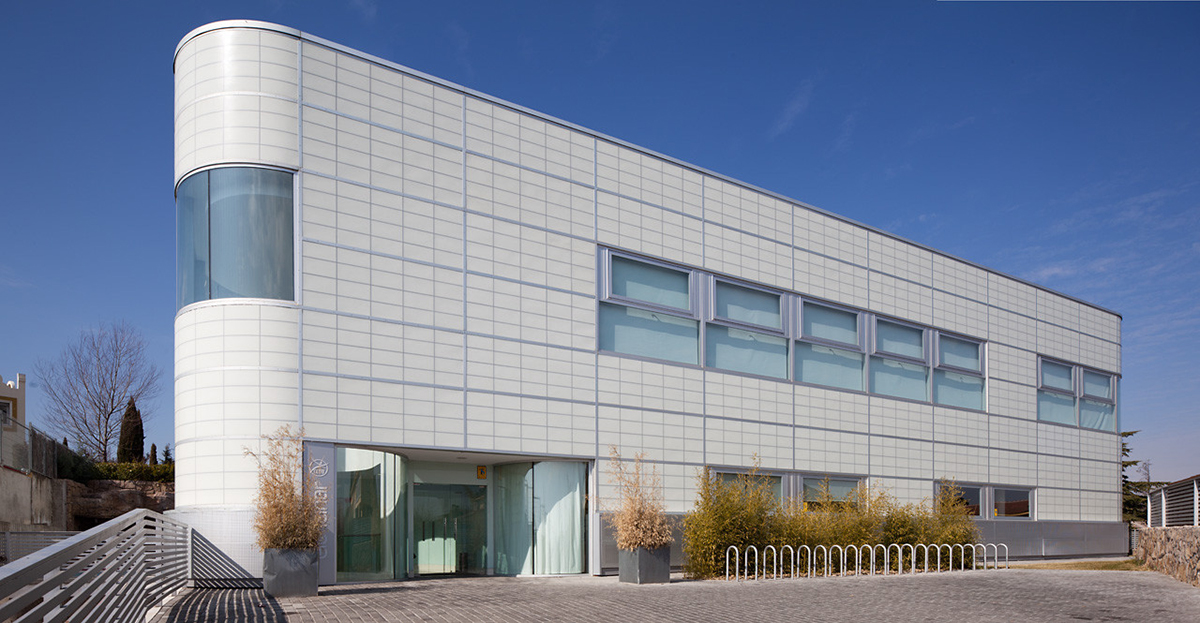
(193, 241)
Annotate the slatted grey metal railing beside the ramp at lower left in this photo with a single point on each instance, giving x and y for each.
(116, 572)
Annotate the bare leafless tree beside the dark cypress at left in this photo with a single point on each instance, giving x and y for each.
(93, 380)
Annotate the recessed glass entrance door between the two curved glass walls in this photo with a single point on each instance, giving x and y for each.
(451, 529)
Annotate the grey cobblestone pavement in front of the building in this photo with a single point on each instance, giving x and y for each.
(1005, 596)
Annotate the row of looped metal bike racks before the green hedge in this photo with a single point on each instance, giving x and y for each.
(857, 560)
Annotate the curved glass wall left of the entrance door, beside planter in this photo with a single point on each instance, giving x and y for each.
(371, 516)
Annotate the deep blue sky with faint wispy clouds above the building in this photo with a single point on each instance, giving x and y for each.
(1059, 142)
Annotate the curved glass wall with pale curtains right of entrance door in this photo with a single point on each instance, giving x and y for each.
(541, 518)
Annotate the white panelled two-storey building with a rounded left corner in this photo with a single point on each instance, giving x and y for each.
(465, 303)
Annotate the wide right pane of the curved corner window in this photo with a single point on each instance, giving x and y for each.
(251, 242)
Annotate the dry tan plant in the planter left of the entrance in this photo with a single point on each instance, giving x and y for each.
(287, 517)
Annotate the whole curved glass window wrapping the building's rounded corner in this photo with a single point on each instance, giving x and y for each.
(235, 236)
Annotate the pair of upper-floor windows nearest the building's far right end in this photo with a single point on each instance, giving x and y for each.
(1075, 396)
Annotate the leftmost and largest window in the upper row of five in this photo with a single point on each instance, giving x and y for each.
(650, 311)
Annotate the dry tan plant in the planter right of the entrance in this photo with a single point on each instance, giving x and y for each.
(640, 519)
